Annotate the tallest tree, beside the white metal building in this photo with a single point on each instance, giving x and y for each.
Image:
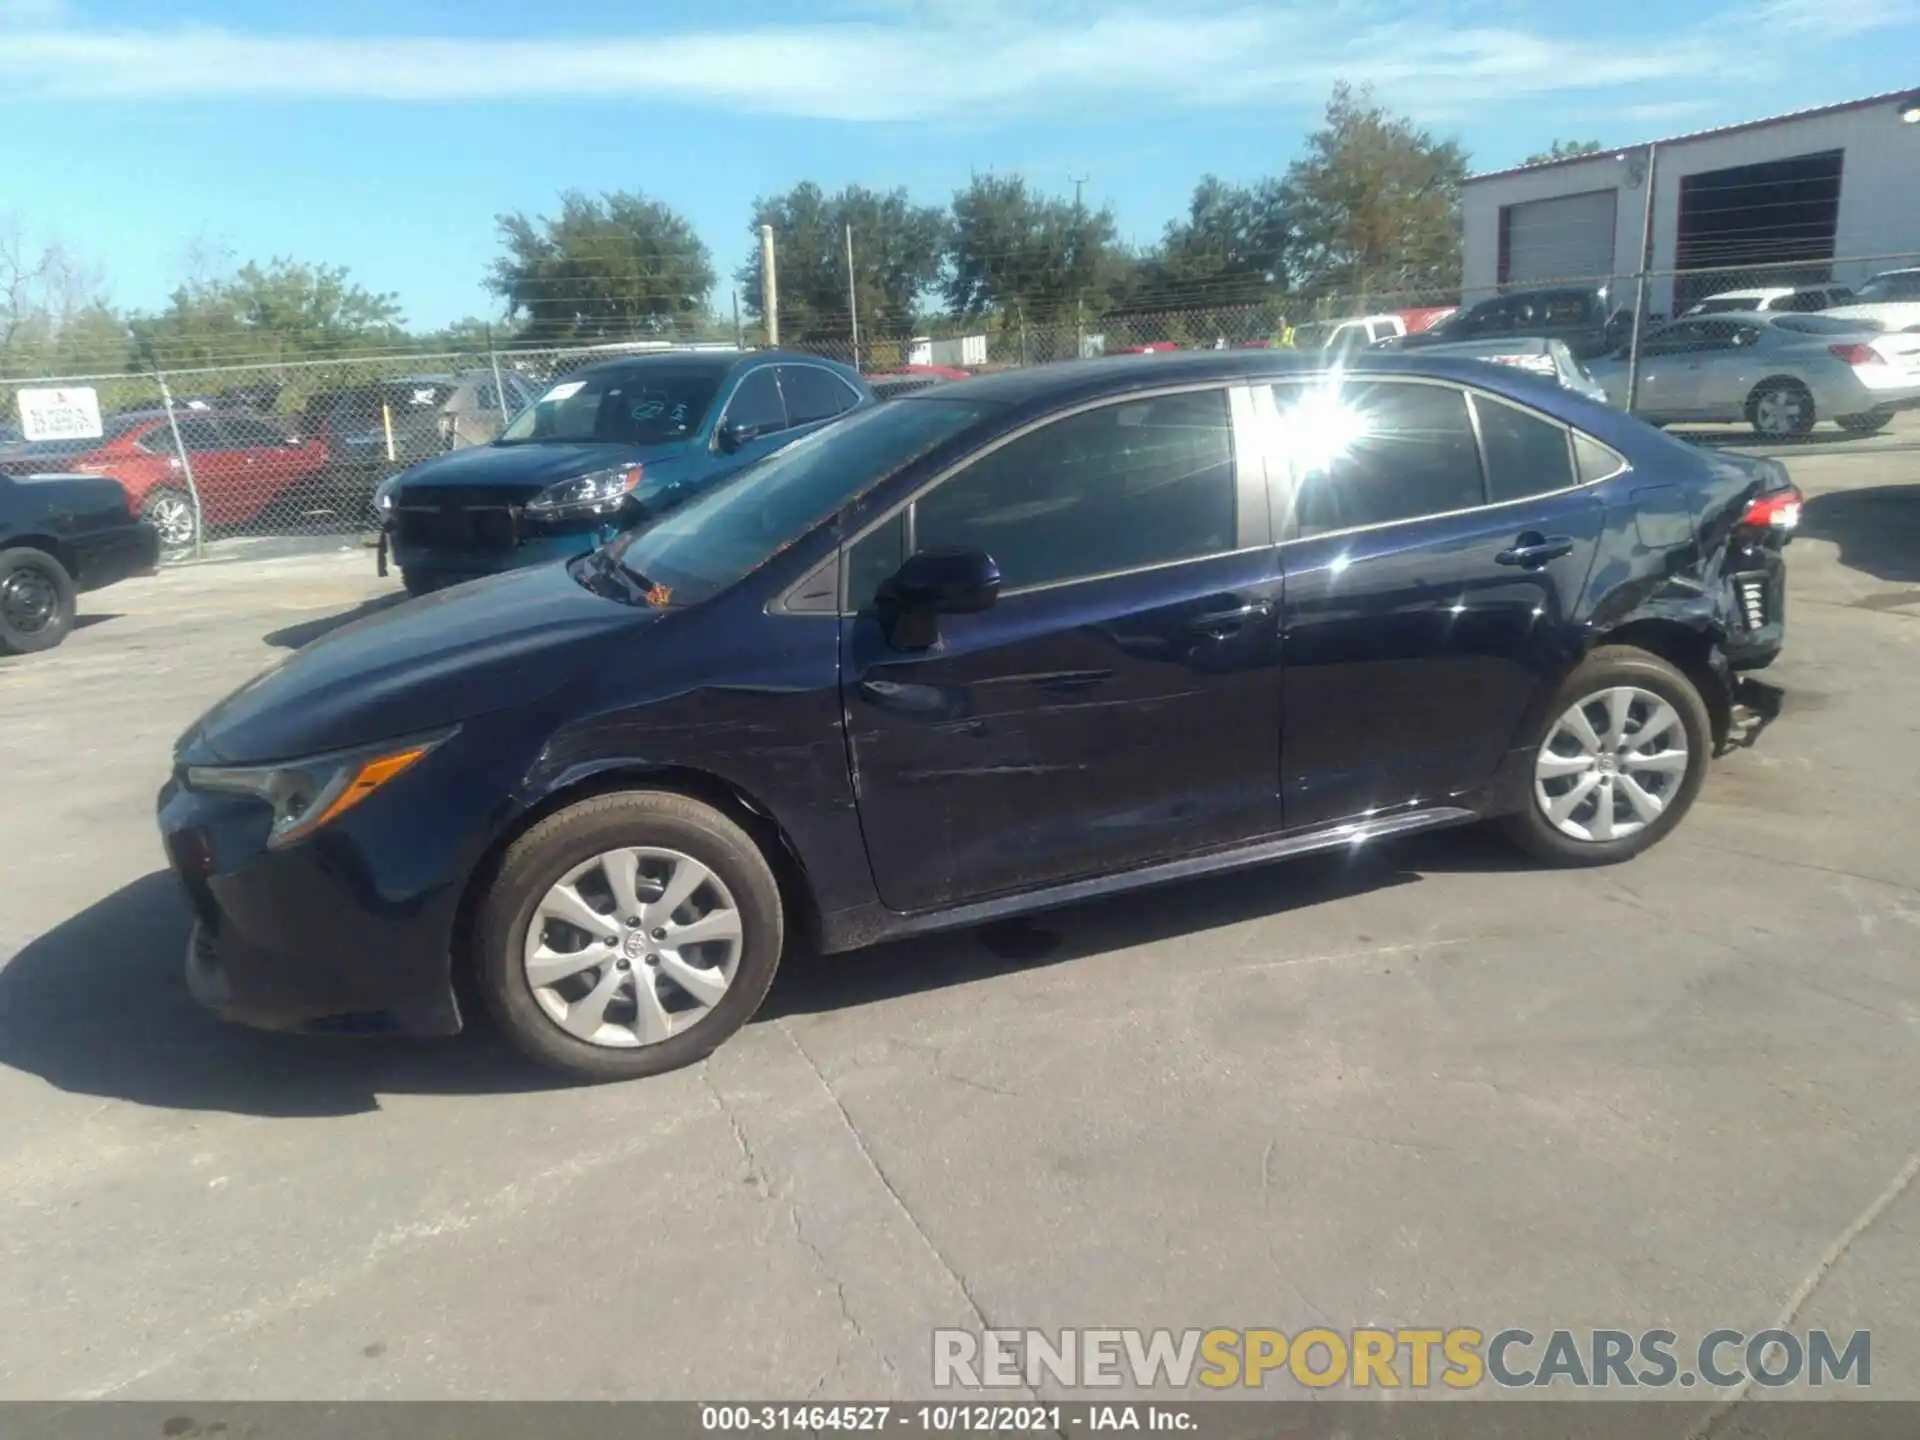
(1376, 204)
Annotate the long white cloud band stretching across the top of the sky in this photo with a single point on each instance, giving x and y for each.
(898, 60)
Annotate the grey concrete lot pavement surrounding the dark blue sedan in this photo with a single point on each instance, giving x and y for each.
(1424, 1086)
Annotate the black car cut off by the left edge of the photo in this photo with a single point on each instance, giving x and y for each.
(62, 535)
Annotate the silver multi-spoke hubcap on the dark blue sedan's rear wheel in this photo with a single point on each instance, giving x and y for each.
(1612, 765)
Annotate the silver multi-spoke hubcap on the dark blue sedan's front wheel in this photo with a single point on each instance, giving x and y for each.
(633, 948)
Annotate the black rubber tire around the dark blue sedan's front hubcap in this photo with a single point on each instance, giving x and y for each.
(575, 836)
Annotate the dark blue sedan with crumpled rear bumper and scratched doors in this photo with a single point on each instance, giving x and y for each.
(1005, 644)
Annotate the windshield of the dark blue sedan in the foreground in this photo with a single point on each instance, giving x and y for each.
(725, 535)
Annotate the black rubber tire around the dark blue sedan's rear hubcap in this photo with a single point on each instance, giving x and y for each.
(1606, 669)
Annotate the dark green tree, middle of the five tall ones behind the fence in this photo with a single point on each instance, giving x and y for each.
(1017, 252)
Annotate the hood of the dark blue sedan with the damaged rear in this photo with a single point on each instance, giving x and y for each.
(454, 656)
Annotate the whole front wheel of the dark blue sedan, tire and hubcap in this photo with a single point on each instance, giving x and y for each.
(629, 936)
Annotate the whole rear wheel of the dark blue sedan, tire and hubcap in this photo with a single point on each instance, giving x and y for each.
(1620, 765)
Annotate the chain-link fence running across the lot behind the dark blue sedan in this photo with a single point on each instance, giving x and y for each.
(297, 448)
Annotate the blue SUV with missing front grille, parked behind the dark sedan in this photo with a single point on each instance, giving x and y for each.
(598, 454)
